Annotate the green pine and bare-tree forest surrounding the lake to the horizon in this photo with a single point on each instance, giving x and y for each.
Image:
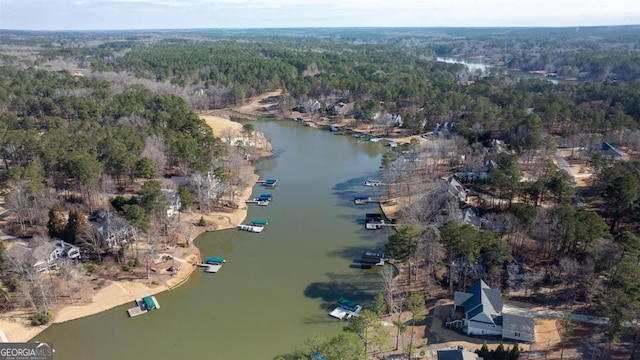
(85, 115)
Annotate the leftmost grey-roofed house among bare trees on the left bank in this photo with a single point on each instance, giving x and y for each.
(48, 255)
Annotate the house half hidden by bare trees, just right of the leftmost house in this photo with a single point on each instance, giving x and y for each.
(110, 229)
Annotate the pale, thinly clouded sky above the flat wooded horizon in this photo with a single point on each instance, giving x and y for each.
(216, 14)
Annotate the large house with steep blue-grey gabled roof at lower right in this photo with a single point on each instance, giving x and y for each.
(483, 314)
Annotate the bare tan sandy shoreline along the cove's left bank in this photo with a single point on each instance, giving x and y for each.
(15, 327)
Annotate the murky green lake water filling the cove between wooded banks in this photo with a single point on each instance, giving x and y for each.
(278, 286)
